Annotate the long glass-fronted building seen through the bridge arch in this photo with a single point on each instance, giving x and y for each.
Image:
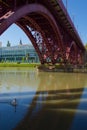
(19, 53)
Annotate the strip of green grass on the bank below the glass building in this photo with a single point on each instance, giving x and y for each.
(19, 64)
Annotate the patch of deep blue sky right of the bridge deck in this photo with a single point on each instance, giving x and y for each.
(77, 10)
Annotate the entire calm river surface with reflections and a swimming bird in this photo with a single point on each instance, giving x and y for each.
(33, 100)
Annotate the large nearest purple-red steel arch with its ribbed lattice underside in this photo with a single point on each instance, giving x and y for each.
(51, 40)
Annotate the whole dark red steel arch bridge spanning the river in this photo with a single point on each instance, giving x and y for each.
(48, 26)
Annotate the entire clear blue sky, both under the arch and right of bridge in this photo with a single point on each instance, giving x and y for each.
(77, 10)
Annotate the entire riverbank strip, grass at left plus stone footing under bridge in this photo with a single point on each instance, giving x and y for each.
(47, 68)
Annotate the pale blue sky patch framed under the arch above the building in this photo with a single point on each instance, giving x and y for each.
(14, 34)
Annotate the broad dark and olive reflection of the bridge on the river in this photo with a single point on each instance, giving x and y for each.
(57, 98)
